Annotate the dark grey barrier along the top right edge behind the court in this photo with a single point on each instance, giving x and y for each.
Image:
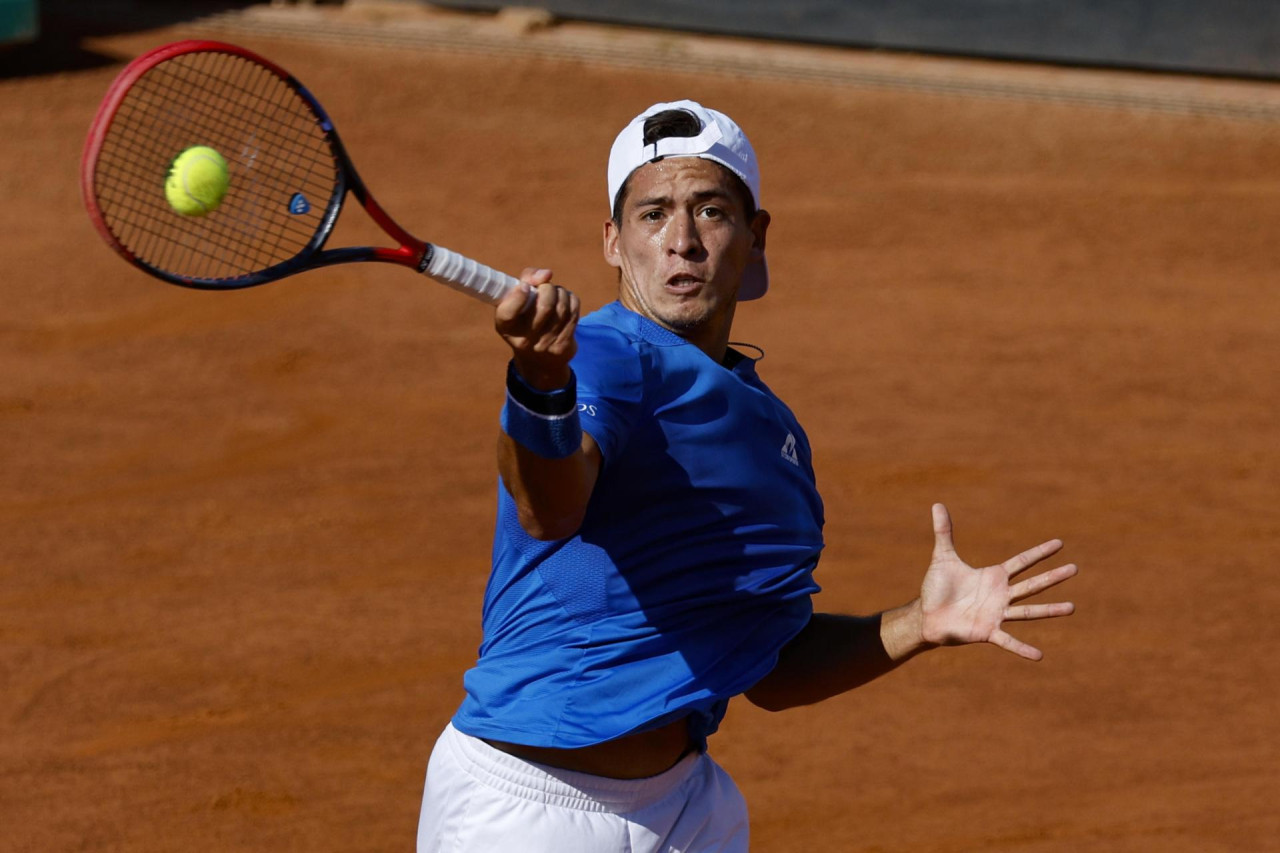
(1236, 38)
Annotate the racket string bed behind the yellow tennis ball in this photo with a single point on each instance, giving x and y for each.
(275, 149)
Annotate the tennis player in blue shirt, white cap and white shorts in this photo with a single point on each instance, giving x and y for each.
(659, 528)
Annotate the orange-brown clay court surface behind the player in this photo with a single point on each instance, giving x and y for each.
(245, 536)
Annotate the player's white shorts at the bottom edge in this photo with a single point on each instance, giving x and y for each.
(481, 800)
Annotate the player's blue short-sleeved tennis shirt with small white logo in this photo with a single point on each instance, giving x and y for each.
(692, 571)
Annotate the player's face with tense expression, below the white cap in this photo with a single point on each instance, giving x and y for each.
(683, 247)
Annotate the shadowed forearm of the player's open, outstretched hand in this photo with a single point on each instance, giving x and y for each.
(836, 654)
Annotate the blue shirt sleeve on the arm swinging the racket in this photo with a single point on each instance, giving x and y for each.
(610, 386)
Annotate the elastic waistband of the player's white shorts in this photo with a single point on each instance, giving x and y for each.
(564, 788)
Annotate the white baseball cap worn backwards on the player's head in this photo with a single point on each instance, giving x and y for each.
(721, 142)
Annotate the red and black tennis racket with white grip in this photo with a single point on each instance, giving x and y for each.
(289, 177)
